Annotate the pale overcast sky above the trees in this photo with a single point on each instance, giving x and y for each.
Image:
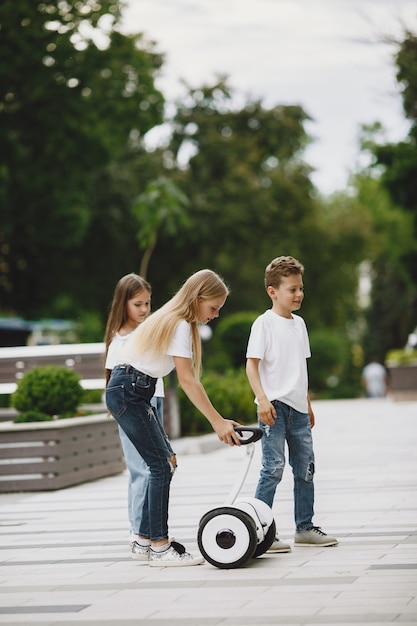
(322, 54)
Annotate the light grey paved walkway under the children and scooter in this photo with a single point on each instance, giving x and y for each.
(65, 559)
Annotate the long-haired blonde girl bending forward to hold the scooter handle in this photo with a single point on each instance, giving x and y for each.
(167, 339)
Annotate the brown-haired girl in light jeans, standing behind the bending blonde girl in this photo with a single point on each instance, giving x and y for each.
(131, 305)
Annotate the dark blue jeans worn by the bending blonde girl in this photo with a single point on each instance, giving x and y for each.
(128, 397)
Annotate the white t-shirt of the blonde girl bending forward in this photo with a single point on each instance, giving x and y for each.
(158, 366)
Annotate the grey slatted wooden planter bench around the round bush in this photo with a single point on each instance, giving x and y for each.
(42, 456)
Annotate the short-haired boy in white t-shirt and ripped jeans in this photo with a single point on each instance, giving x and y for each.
(277, 371)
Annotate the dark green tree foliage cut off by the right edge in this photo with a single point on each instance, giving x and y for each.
(392, 314)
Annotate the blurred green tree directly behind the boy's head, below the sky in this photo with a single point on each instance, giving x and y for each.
(251, 199)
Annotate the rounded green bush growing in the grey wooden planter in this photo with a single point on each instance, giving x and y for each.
(50, 389)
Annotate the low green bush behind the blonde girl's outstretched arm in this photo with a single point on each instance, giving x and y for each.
(231, 395)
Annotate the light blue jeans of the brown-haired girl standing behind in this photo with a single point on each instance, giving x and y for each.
(138, 472)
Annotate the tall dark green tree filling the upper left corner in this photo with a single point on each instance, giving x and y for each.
(76, 97)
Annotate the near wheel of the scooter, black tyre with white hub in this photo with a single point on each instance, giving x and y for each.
(227, 537)
